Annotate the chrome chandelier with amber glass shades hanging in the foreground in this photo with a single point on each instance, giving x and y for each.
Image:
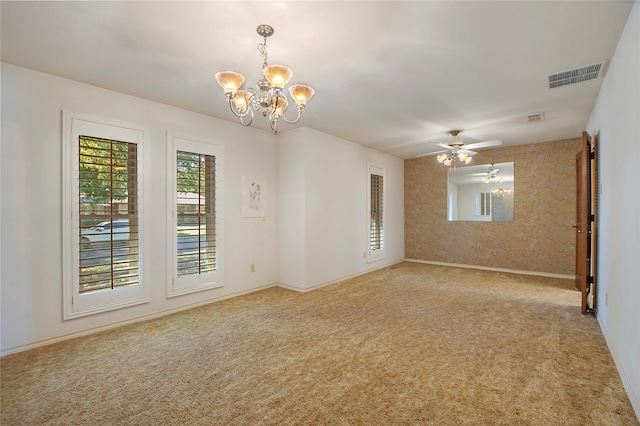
(269, 96)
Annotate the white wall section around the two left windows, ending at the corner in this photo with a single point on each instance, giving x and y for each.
(31, 275)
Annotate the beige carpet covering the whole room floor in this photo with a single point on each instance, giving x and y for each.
(410, 344)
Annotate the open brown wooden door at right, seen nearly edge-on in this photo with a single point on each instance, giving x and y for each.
(583, 277)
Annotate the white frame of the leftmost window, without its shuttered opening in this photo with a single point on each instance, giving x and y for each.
(75, 125)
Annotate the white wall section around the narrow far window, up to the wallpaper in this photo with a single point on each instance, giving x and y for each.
(323, 220)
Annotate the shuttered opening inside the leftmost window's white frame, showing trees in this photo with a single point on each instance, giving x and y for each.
(108, 216)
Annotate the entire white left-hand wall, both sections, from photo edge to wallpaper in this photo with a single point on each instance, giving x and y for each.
(314, 232)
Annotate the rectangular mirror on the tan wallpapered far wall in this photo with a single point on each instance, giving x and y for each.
(481, 193)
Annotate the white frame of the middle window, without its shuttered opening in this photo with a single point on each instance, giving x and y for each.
(177, 286)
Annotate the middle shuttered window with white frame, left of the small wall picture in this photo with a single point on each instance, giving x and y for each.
(195, 242)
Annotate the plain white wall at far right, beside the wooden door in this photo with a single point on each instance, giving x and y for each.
(615, 122)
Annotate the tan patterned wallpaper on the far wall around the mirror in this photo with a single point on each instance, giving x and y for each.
(540, 238)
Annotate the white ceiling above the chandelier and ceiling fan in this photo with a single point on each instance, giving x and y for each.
(392, 75)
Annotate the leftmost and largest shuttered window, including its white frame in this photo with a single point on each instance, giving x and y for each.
(103, 215)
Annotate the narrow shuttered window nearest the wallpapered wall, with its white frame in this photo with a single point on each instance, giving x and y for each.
(376, 244)
